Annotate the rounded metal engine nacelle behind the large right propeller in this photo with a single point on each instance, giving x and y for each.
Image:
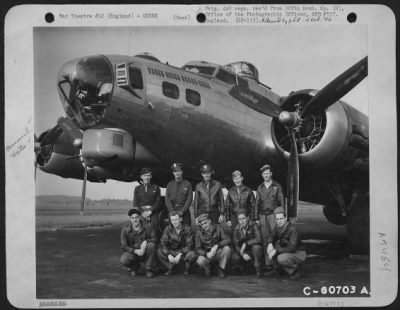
(336, 137)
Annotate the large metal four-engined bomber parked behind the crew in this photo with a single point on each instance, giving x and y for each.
(124, 112)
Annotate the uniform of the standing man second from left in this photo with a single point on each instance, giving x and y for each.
(178, 197)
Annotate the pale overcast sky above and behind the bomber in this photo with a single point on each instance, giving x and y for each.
(288, 58)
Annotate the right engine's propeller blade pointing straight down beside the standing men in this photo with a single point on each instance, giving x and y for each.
(293, 179)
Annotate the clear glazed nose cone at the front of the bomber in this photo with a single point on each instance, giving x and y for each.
(85, 87)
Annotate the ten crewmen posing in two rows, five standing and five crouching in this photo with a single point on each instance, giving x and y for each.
(257, 236)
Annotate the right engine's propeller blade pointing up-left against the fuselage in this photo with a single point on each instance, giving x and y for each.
(255, 101)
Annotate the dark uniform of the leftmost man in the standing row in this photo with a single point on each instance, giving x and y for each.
(149, 195)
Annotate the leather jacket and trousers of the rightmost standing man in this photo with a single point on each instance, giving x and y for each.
(268, 199)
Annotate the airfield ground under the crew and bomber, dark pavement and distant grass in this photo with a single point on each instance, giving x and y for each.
(77, 257)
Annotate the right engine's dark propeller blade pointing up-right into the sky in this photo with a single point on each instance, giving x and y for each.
(337, 88)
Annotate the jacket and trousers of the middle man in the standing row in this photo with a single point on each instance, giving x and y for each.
(209, 199)
